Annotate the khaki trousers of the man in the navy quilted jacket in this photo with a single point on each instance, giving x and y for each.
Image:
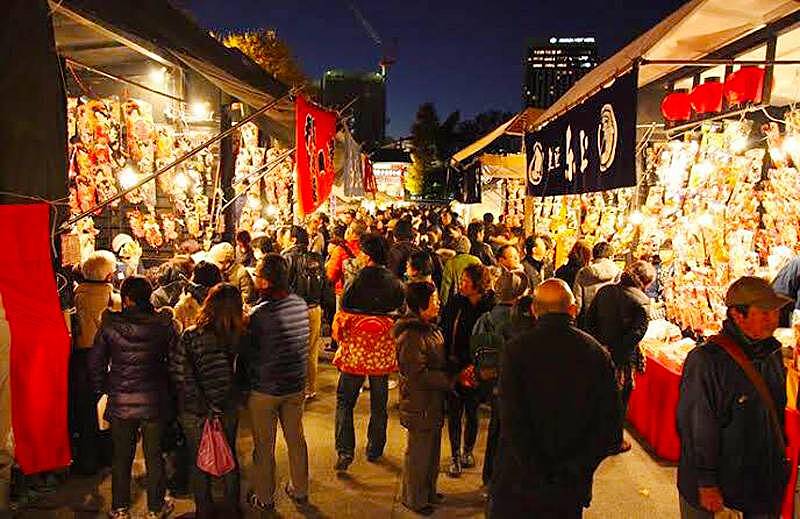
(265, 413)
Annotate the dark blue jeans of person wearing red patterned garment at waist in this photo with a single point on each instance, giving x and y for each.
(346, 397)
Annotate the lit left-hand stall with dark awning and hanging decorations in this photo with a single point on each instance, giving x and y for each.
(150, 100)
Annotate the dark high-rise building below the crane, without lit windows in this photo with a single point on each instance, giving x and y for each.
(362, 97)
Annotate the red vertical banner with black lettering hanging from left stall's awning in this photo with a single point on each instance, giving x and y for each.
(315, 132)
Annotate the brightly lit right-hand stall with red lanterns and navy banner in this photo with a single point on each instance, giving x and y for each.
(695, 172)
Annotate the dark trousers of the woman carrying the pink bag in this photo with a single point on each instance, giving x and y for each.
(200, 481)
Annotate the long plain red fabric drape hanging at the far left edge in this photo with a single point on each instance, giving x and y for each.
(39, 339)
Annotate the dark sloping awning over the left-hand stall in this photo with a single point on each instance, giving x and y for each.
(157, 27)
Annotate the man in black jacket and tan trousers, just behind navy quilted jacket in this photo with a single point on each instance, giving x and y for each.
(307, 279)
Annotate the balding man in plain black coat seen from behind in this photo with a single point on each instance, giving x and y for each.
(559, 414)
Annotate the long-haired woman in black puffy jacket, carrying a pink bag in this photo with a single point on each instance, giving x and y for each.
(202, 369)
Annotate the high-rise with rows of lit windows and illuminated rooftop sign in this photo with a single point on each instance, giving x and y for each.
(552, 66)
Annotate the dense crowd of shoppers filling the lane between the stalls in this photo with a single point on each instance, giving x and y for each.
(463, 315)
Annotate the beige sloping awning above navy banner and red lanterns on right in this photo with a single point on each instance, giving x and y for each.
(696, 29)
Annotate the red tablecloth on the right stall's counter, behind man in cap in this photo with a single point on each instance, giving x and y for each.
(652, 412)
